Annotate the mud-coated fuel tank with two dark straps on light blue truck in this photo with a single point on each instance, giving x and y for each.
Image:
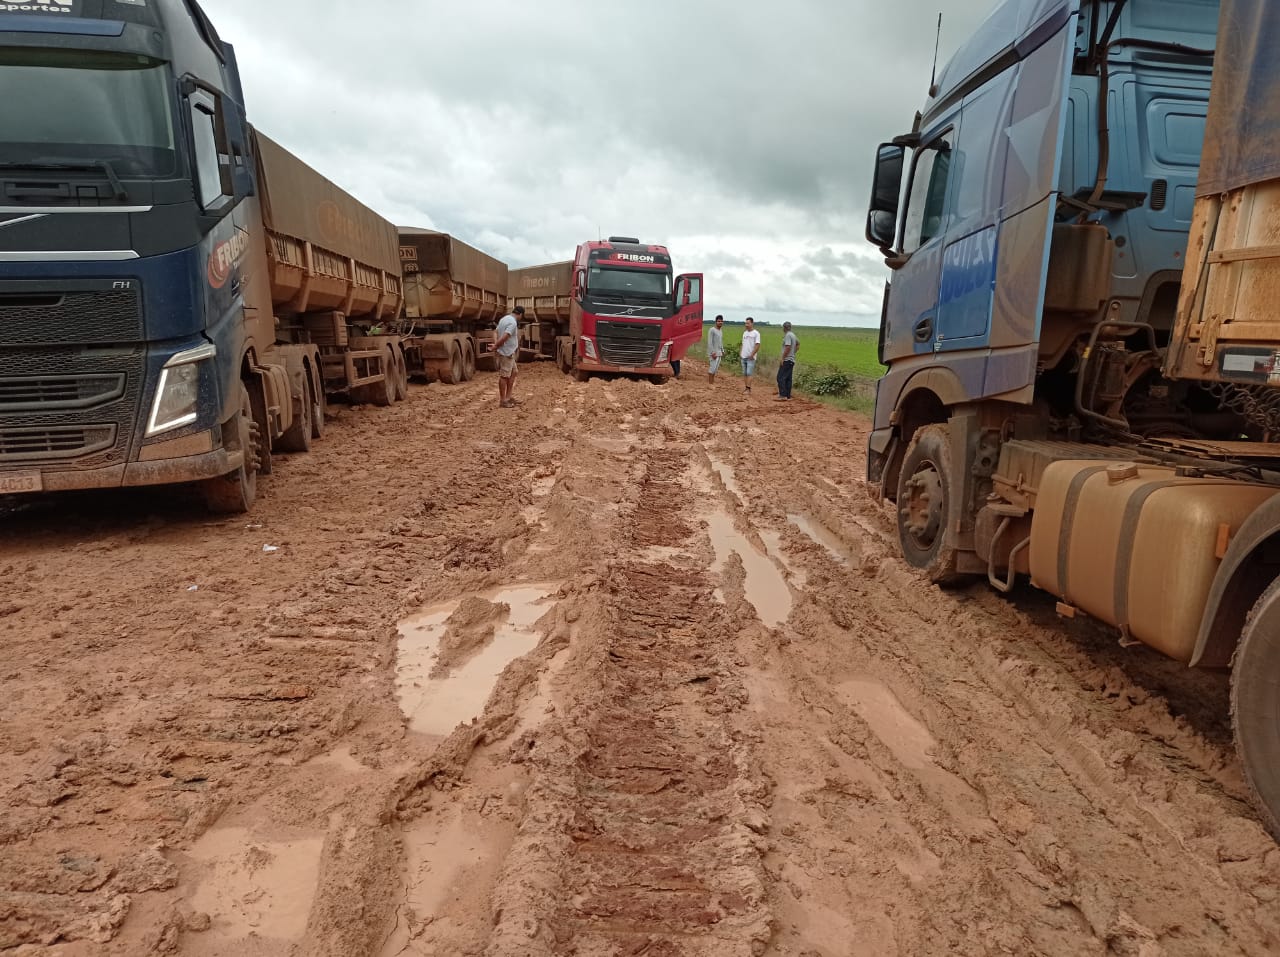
(1137, 546)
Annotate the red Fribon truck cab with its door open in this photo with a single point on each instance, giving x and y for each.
(628, 313)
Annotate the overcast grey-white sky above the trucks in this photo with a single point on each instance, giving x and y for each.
(738, 135)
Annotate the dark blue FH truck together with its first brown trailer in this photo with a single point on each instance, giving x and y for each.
(179, 294)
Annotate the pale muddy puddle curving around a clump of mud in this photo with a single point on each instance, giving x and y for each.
(436, 704)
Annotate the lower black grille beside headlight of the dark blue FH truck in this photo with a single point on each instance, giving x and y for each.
(70, 407)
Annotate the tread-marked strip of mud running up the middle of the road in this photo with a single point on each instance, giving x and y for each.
(646, 812)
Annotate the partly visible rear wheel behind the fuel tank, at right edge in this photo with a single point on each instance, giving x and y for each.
(1256, 707)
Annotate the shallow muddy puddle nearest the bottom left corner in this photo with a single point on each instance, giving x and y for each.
(257, 889)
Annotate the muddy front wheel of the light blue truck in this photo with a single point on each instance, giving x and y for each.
(924, 506)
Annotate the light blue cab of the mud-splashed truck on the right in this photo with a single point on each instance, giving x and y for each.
(1036, 221)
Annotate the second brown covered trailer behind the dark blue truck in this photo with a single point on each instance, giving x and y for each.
(454, 297)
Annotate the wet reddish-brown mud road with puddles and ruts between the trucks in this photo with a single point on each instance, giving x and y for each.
(714, 713)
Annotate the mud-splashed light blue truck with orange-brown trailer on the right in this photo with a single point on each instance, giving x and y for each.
(1082, 337)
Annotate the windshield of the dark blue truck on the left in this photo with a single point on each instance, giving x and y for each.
(76, 107)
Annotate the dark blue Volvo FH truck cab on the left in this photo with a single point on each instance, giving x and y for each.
(126, 214)
